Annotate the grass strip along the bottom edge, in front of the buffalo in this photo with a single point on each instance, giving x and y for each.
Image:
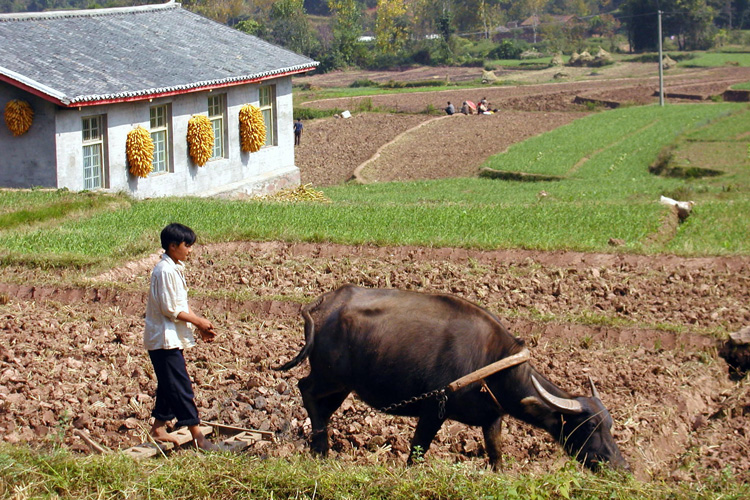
(58, 474)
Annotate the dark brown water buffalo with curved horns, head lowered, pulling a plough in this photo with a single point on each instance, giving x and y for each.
(389, 346)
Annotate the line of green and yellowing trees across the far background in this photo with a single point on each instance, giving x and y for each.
(441, 32)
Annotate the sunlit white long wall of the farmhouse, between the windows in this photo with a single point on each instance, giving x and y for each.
(270, 168)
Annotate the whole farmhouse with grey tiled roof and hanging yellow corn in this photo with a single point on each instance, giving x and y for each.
(91, 77)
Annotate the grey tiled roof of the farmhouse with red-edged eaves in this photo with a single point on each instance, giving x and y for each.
(86, 56)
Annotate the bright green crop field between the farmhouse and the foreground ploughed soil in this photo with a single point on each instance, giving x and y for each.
(606, 192)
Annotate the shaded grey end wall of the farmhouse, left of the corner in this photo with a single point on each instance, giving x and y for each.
(28, 160)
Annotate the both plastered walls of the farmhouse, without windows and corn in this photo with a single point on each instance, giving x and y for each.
(50, 154)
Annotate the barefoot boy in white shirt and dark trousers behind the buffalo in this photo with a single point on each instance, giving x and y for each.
(168, 331)
